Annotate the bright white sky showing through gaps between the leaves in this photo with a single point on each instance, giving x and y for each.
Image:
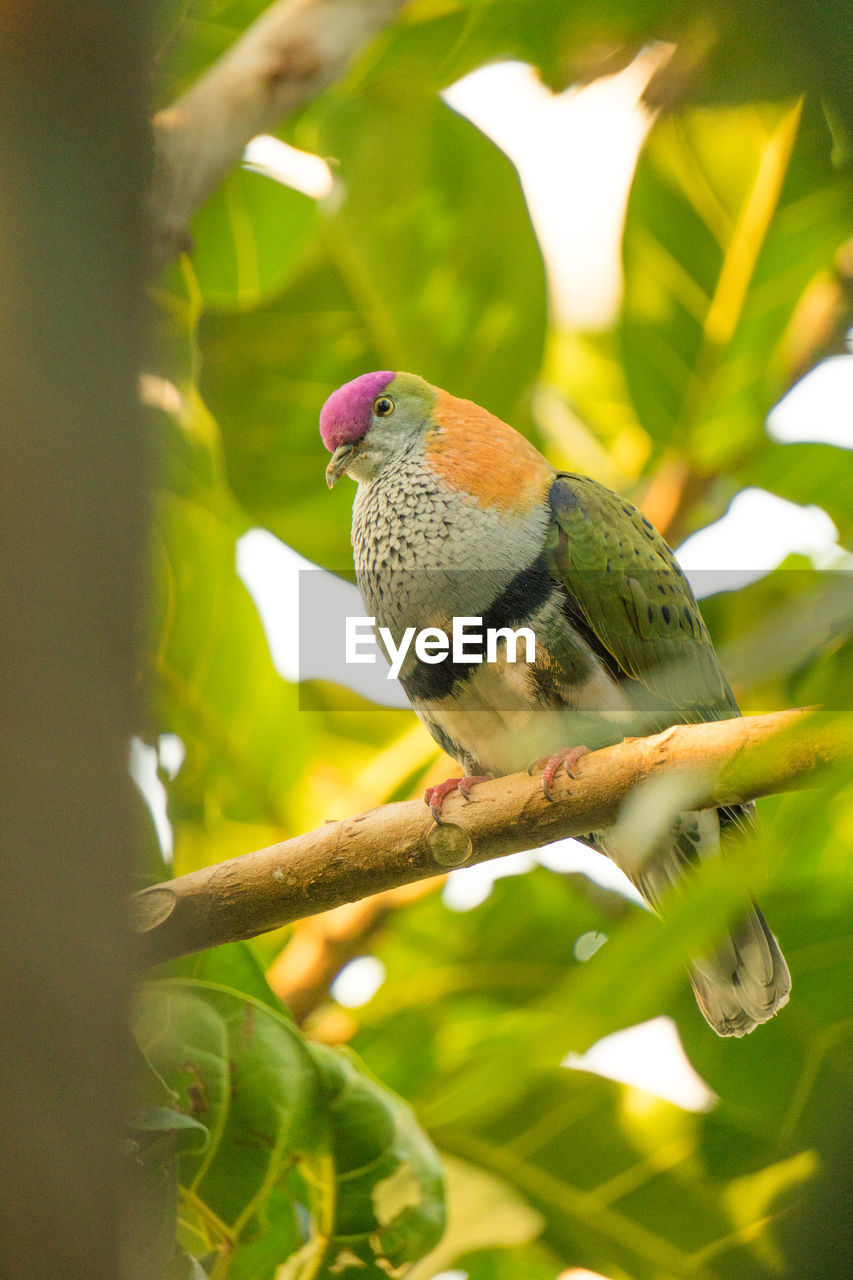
(578, 208)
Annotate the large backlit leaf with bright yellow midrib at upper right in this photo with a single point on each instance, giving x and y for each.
(732, 216)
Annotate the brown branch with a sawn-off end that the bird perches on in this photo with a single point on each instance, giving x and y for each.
(399, 844)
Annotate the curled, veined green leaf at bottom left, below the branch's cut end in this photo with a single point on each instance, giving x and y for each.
(308, 1158)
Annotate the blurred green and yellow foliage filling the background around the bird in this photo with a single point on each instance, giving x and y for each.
(279, 1156)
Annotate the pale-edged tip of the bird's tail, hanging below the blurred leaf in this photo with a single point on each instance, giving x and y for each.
(745, 982)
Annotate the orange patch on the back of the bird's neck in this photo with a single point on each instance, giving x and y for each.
(476, 452)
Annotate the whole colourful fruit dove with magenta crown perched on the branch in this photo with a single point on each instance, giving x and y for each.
(458, 515)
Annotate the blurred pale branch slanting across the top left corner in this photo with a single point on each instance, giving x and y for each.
(293, 52)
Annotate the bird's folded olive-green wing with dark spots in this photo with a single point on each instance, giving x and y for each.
(627, 589)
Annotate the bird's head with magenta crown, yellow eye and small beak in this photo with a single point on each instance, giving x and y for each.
(373, 422)
